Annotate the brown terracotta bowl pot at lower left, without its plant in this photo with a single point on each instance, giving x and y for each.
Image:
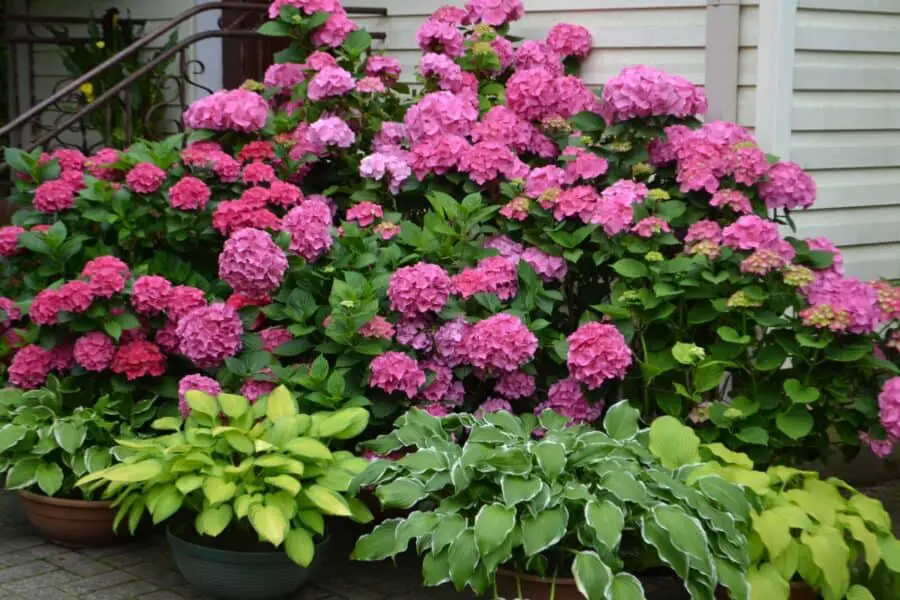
(71, 523)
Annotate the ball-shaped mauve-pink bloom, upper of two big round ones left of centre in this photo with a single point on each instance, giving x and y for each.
(251, 263)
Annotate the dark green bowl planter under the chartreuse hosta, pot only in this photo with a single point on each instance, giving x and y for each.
(235, 575)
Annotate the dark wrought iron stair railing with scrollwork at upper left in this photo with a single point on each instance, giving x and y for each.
(31, 128)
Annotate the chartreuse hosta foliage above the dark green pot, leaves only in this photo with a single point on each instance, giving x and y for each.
(250, 471)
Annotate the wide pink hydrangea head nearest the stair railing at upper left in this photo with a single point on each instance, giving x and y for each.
(231, 110)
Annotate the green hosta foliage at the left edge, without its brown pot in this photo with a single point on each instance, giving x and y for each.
(45, 446)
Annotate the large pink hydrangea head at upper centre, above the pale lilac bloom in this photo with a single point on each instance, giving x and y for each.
(440, 113)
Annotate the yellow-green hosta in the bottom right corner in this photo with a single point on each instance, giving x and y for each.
(825, 533)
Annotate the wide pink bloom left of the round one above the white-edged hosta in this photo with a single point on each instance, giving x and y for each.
(501, 342)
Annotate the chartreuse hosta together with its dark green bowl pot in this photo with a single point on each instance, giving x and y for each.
(246, 489)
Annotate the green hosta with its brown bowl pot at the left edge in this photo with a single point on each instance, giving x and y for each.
(45, 446)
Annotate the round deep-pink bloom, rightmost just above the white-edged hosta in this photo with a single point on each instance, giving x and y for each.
(598, 352)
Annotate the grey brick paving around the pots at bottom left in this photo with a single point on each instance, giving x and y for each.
(31, 569)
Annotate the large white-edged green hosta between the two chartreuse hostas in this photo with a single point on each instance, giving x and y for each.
(601, 506)
